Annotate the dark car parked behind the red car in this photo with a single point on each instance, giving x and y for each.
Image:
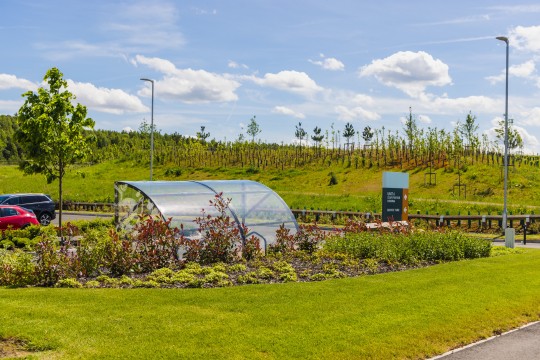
(41, 204)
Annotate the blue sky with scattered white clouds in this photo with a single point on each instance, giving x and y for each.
(320, 63)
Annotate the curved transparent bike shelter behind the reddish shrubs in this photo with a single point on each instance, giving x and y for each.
(252, 204)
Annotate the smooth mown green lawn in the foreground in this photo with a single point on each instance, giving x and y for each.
(410, 314)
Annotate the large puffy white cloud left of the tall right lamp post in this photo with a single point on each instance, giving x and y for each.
(410, 72)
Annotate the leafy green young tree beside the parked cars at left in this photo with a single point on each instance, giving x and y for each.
(53, 131)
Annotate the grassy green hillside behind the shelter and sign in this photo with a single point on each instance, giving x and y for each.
(309, 186)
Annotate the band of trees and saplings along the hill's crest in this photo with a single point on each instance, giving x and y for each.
(418, 148)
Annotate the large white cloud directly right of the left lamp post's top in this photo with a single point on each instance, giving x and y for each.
(188, 85)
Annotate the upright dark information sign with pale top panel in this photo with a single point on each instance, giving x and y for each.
(395, 197)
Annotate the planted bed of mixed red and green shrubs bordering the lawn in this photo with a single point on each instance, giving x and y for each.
(148, 257)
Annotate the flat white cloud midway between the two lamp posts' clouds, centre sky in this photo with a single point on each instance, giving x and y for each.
(288, 80)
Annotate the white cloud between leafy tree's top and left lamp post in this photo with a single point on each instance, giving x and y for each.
(114, 101)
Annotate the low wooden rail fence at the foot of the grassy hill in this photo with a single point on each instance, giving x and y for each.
(468, 221)
